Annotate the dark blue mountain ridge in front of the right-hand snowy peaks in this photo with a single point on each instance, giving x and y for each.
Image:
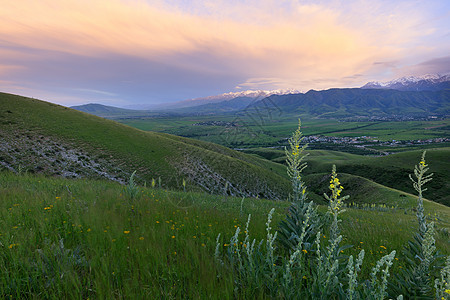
(361, 102)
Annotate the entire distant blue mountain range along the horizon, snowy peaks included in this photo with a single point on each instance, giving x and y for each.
(348, 102)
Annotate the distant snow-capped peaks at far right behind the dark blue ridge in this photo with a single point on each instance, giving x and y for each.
(429, 82)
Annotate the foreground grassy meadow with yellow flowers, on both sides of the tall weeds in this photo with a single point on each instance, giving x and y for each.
(70, 239)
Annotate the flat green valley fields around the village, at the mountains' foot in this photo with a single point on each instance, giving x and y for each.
(272, 130)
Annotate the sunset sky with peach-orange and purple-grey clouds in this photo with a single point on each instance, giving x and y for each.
(128, 52)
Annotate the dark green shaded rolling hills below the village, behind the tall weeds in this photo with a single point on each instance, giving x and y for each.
(391, 171)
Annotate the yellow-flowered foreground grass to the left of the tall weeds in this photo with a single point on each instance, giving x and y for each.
(112, 248)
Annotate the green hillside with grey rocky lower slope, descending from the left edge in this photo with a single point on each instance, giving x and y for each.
(46, 138)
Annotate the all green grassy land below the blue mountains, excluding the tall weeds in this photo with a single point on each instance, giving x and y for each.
(74, 186)
